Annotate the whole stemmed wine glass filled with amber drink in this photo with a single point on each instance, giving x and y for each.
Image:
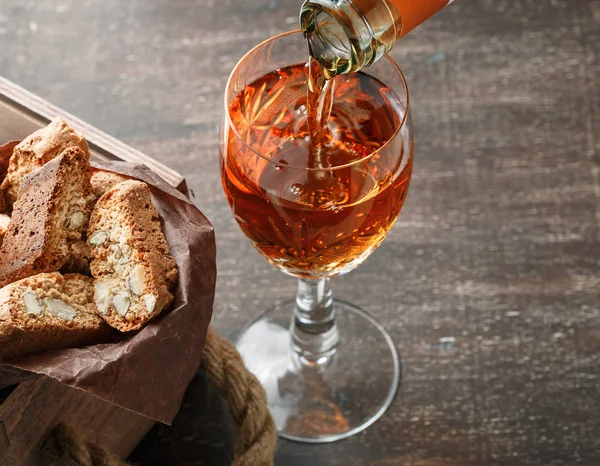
(328, 367)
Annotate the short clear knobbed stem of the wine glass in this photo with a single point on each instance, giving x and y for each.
(314, 332)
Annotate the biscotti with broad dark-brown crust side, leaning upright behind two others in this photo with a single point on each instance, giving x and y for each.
(51, 213)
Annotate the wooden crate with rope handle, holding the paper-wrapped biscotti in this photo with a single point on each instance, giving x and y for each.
(30, 409)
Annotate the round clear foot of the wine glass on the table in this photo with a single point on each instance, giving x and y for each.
(331, 400)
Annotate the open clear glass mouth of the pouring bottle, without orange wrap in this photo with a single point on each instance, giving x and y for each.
(333, 37)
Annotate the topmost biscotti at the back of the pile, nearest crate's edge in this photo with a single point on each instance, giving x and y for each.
(35, 151)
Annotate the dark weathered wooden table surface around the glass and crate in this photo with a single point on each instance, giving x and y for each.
(490, 281)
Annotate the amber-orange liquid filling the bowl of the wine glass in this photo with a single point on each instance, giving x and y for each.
(305, 211)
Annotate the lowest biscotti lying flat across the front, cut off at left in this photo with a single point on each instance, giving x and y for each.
(49, 311)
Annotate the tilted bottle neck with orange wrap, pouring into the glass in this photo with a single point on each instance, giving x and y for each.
(347, 35)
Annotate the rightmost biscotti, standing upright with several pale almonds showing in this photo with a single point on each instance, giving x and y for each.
(131, 264)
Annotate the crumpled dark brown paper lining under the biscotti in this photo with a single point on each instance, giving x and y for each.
(149, 370)
